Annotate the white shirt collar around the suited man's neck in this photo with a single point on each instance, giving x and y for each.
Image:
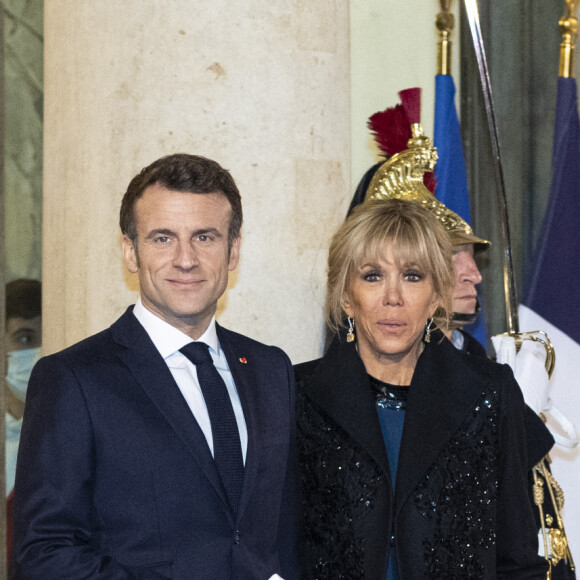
(168, 339)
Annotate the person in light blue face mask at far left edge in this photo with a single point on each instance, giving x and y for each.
(23, 347)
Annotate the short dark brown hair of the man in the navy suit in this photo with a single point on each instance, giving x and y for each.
(187, 173)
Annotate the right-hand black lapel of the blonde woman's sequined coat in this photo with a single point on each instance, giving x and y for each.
(439, 402)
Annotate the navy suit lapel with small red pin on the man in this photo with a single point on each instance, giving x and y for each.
(244, 375)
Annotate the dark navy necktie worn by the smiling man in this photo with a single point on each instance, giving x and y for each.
(227, 449)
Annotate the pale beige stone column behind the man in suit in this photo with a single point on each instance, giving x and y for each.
(263, 88)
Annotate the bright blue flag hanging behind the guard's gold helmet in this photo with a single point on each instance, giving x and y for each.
(450, 171)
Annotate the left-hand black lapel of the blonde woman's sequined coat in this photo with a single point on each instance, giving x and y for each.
(341, 388)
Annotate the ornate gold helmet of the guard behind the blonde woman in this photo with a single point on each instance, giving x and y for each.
(401, 177)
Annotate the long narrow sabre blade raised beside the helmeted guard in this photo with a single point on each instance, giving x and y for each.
(511, 301)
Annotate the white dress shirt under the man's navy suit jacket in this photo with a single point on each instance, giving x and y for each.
(168, 340)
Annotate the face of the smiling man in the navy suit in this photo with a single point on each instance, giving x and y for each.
(181, 255)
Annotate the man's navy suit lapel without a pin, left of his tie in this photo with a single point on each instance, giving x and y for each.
(150, 371)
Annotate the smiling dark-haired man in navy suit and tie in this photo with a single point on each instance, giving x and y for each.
(162, 447)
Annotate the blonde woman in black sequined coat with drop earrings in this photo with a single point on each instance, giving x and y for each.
(411, 465)
